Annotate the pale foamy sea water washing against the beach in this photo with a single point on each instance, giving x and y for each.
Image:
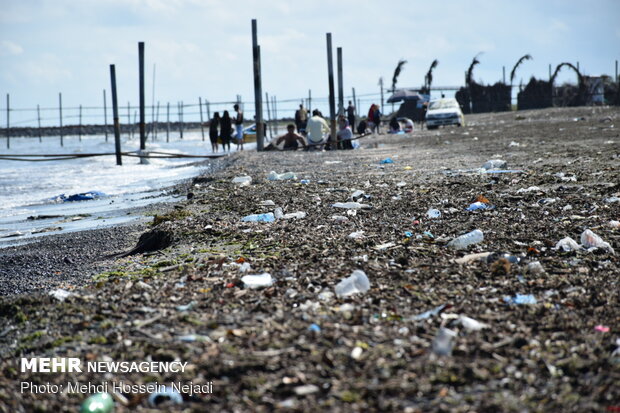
(31, 189)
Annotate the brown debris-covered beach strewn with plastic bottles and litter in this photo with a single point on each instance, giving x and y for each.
(295, 344)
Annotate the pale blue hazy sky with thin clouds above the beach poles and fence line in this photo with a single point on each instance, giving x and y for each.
(203, 47)
